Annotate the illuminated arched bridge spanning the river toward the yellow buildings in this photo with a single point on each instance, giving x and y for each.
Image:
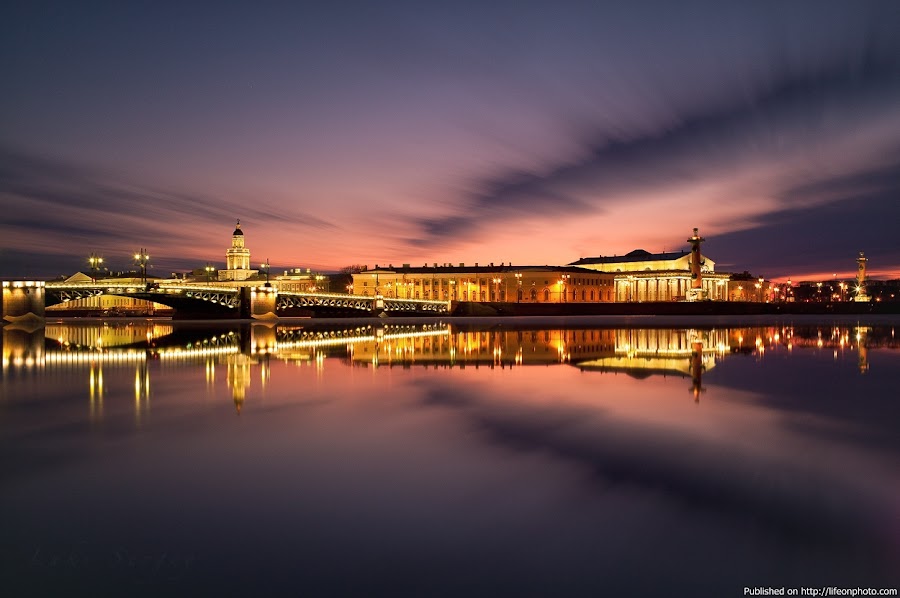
(24, 299)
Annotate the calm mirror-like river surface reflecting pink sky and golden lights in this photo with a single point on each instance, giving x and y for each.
(493, 459)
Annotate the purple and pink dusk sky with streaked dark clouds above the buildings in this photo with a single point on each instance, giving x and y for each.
(418, 132)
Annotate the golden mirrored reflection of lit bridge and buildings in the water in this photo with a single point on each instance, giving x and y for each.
(245, 351)
